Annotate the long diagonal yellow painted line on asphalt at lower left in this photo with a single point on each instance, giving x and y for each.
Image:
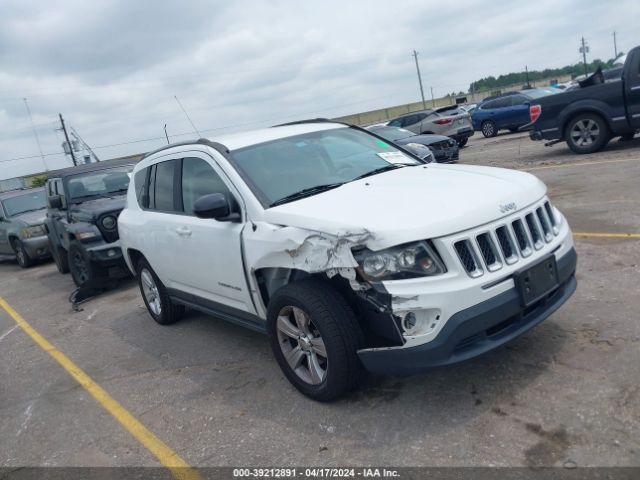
(167, 457)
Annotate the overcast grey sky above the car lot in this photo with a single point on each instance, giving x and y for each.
(112, 67)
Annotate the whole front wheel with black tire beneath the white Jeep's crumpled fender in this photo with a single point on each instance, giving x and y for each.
(315, 336)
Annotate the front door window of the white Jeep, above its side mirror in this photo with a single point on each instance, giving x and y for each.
(198, 179)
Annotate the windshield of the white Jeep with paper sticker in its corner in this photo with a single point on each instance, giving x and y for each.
(280, 168)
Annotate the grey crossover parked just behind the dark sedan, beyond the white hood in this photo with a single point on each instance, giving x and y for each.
(448, 121)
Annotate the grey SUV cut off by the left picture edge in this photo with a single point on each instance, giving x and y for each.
(22, 233)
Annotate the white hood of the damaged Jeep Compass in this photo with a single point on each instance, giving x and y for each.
(412, 203)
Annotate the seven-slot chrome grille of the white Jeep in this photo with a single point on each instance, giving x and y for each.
(509, 242)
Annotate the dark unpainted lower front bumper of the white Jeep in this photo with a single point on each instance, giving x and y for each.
(477, 329)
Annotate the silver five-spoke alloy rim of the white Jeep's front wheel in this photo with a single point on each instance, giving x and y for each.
(302, 345)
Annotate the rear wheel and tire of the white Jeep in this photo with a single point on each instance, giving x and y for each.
(155, 296)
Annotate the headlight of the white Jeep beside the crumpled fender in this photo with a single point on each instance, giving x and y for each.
(411, 260)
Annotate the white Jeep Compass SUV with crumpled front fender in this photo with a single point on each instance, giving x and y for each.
(347, 251)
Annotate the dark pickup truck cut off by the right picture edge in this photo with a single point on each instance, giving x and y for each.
(588, 117)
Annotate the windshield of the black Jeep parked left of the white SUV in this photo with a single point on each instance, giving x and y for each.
(99, 183)
